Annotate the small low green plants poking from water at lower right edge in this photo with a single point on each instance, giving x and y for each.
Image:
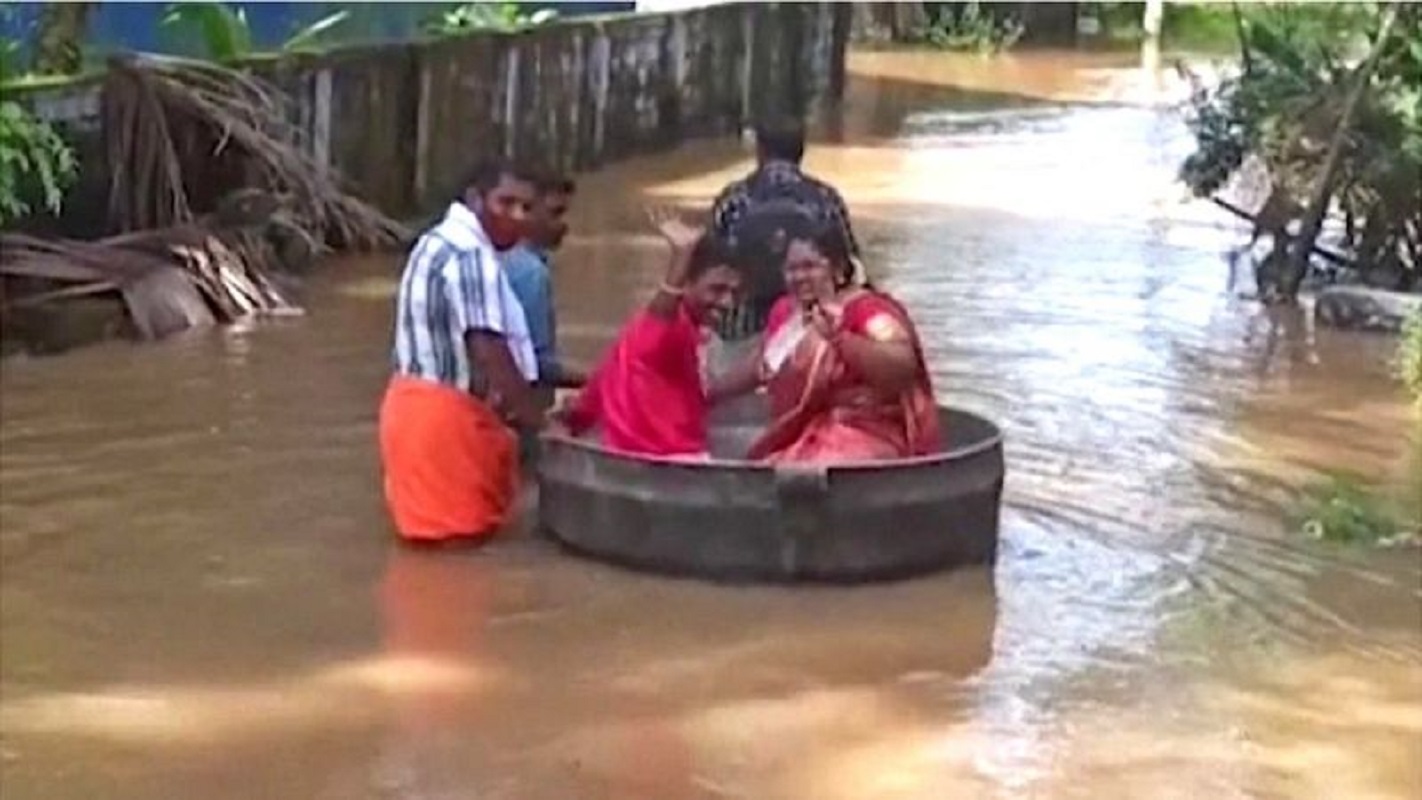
(1346, 511)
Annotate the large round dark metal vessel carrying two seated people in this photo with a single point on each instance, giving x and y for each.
(744, 522)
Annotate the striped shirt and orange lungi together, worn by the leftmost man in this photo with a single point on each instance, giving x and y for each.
(450, 463)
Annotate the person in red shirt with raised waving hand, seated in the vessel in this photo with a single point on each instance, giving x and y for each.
(648, 396)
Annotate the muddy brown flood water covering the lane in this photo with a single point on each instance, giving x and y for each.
(201, 598)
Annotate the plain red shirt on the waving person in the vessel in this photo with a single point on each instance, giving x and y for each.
(648, 394)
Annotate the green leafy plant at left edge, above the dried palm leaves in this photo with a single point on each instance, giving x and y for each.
(36, 164)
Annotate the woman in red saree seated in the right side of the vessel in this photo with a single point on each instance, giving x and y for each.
(843, 366)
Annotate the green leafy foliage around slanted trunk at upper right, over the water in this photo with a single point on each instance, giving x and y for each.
(1286, 106)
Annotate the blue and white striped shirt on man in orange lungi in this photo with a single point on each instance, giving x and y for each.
(454, 283)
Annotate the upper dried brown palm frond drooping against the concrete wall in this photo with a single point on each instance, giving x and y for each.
(177, 129)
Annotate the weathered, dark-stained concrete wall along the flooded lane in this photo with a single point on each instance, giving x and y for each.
(403, 121)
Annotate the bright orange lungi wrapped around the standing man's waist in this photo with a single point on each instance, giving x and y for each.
(451, 464)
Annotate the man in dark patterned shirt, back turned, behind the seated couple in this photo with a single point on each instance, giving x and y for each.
(752, 211)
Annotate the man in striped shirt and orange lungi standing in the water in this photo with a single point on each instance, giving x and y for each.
(464, 364)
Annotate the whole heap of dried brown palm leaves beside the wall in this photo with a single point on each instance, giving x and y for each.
(210, 187)
